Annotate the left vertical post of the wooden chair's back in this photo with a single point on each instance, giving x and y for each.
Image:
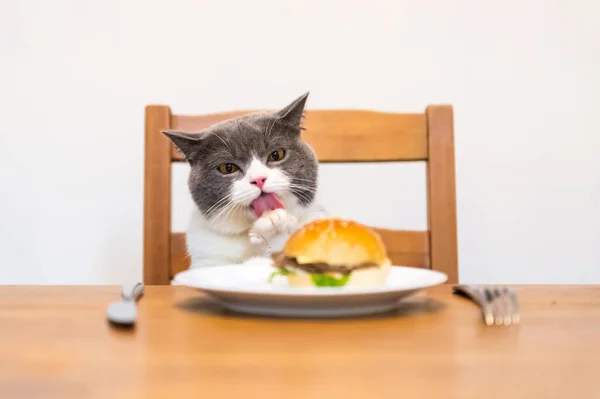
(157, 196)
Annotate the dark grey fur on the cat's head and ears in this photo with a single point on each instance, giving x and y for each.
(236, 141)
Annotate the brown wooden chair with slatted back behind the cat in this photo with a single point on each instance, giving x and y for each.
(336, 136)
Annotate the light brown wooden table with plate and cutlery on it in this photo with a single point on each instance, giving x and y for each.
(56, 343)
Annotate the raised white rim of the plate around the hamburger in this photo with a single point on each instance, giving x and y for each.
(309, 291)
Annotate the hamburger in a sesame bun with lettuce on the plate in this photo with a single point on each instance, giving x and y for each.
(333, 252)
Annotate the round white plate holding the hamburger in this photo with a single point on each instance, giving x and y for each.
(244, 288)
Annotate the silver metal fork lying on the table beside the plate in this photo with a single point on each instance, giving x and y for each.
(499, 305)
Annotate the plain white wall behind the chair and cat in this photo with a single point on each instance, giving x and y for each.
(523, 76)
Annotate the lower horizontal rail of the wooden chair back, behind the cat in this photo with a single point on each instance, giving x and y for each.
(406, 248)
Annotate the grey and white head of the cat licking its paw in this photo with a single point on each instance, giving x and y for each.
(236, 161)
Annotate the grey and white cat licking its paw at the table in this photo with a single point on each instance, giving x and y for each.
(253, 181)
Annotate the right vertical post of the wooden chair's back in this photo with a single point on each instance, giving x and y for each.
(441, 191)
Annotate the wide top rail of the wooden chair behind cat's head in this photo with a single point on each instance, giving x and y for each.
(343, 136)
